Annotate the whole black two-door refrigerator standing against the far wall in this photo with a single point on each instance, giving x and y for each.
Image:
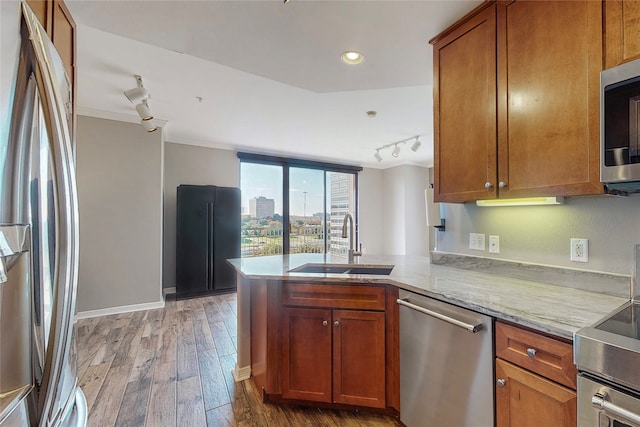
(208, 233)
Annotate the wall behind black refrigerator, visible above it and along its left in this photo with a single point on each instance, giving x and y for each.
(188, 164)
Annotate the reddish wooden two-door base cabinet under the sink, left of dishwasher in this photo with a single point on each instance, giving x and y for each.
(334, 345)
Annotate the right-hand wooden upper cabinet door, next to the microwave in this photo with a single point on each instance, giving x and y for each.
(549, 63)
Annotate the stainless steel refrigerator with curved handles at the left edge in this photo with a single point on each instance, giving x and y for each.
(38, 231)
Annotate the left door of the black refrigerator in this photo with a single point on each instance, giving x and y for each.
(193, 242)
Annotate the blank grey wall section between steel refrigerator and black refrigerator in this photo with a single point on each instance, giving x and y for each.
(119, 173)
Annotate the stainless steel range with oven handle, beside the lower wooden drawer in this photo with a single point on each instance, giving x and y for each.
(608, 359)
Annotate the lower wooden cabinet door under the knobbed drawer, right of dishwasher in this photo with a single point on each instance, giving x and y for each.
(528, 400)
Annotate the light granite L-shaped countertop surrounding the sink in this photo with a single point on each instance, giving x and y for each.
(553, 301)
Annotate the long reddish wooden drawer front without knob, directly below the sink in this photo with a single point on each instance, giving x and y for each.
(334, 296)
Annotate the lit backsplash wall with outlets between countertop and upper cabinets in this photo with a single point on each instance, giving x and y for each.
(541, 234)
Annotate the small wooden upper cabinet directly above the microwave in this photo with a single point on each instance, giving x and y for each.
(621, 35)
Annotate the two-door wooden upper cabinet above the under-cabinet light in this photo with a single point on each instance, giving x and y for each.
(516, 102)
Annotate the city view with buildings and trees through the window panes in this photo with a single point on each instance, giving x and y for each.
(318, 203)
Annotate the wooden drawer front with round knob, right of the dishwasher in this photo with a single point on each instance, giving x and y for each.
(546, 356)
